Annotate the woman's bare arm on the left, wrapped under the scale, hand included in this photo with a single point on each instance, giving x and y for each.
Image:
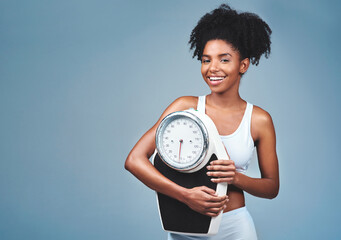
(201, 199)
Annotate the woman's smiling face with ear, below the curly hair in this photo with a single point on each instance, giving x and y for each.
(221, 66)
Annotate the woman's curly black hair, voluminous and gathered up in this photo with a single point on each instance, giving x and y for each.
(247, 33)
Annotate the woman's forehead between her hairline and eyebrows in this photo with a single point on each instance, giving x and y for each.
(218, 46)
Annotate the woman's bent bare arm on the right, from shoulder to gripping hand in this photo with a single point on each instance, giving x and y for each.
(265, 140)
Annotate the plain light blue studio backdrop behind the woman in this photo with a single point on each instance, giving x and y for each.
(81, 81)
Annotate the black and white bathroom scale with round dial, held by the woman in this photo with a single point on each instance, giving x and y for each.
(186, 142)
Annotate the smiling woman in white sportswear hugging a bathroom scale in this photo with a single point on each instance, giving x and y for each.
(225, 42)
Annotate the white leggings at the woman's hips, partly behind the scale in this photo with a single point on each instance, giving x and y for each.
(235, 224)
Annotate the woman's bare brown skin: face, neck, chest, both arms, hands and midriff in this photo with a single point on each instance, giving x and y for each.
(226, 108)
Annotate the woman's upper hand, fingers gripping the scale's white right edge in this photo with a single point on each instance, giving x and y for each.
(222, 171)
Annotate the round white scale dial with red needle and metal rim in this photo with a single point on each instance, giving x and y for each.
(182, 140)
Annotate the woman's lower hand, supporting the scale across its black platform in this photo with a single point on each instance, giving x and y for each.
(204, 200)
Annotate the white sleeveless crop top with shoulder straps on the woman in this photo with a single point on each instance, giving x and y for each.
(239, 145)
